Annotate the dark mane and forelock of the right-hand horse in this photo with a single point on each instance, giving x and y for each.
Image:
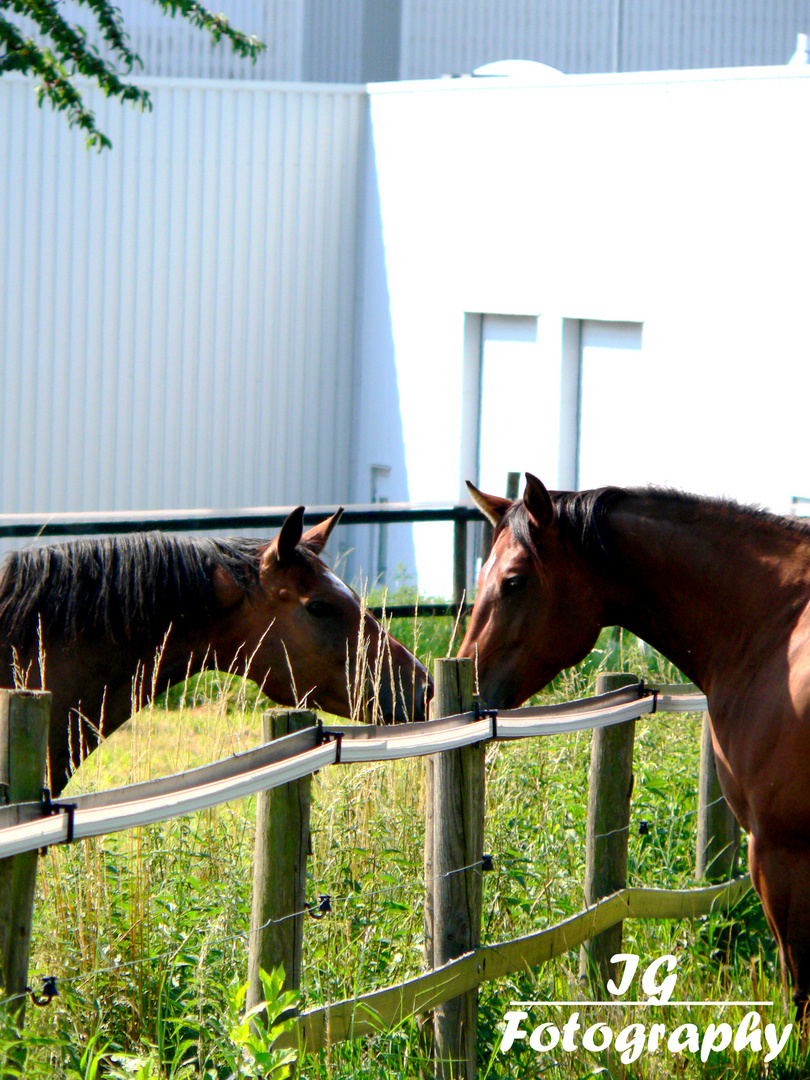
(584, 515)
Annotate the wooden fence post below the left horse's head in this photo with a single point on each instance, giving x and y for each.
(280, 869)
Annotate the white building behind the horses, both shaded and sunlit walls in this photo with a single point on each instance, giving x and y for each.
(268, 294)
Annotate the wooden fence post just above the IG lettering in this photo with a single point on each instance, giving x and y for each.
(611, 784)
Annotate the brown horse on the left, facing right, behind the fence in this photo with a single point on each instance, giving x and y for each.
(103, 623)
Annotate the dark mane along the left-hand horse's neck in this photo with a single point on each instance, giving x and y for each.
(125, 588)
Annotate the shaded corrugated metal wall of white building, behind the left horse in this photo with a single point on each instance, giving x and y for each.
(178, 315)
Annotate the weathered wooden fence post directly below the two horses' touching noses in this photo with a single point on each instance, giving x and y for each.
(454, 840)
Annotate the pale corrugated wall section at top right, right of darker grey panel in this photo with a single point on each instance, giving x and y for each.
(593, 36)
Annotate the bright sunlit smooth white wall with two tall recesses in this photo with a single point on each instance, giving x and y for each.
(674, 201)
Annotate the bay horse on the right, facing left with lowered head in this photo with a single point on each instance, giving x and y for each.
(724, 592)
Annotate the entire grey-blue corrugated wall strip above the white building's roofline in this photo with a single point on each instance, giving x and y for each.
(331, 42)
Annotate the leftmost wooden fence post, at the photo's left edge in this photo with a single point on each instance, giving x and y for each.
(24, 721)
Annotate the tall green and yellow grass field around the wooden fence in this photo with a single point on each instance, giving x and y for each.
(146, 930)
